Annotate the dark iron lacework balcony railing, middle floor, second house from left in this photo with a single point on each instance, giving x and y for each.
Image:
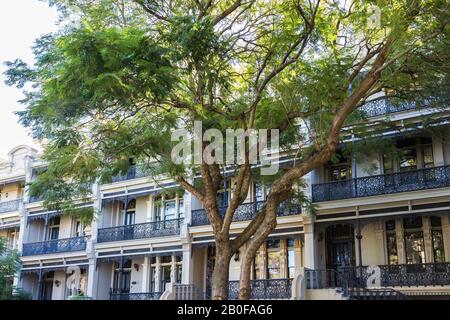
(140, 231)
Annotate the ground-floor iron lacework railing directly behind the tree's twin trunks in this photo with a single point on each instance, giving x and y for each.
(263, 289)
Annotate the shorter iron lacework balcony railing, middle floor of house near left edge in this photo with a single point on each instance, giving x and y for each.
(54, 246)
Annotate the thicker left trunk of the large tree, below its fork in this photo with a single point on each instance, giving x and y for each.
(221, 271)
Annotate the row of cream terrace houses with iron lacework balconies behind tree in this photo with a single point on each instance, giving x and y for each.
(376, 217)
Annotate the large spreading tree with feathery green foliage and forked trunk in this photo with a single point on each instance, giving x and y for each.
(121, 76)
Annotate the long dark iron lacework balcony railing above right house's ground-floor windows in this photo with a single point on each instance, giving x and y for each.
(423, 179)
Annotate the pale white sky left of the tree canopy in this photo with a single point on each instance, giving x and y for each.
(21, 22)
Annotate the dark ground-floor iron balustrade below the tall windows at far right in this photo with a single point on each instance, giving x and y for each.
(400, 275)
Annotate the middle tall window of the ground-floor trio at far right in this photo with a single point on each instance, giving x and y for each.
(414, 243)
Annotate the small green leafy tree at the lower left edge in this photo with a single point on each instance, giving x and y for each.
(9, 265)
